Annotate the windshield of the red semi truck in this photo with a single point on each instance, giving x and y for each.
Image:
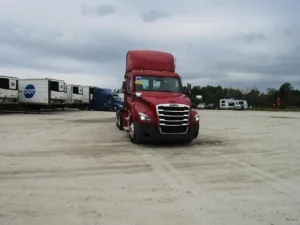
(155, 83)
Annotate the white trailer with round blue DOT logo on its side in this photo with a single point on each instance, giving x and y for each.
(41, 93)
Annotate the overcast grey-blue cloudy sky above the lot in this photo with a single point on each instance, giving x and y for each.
(237, 43)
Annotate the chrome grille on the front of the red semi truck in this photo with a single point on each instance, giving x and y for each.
(173, 114)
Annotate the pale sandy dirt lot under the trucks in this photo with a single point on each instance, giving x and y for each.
(78, 168)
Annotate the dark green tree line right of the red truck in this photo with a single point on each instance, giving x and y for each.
(289, 96)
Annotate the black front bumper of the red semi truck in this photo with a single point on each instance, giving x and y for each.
(152, 132)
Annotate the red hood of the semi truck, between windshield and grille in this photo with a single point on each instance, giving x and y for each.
(156, 98)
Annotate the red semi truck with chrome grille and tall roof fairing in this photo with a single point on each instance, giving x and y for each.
(156, 105)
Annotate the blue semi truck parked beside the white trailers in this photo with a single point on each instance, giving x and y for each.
(106, 99)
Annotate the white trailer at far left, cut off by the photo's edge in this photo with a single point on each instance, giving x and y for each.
(8, 92)
